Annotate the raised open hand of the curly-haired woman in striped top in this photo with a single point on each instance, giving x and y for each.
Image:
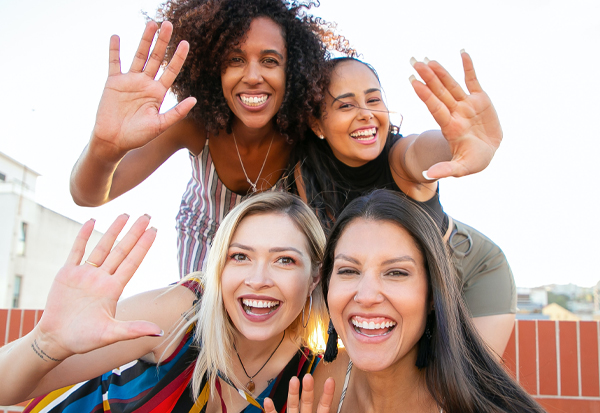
(128, 115)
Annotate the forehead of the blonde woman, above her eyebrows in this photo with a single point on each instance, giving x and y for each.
(269, 229)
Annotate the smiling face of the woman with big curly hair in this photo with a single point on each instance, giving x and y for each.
(254, 76)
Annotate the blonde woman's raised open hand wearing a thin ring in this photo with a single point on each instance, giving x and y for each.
(79, 314)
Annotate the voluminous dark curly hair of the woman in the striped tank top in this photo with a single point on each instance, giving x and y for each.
(213, 27)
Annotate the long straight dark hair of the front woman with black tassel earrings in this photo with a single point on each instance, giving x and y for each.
(462, 375)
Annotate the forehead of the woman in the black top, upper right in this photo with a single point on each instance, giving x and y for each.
(352, 76)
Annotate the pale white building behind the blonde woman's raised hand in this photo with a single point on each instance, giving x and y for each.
(34, 241)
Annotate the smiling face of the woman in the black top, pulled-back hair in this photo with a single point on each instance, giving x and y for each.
(355, 121)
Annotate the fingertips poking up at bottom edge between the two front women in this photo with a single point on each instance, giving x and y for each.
(304, 403)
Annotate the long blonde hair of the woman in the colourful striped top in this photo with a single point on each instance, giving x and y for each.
(214, 334)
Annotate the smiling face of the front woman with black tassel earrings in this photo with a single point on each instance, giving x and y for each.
(378, 294)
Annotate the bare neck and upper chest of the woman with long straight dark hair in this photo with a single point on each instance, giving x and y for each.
(400, 388)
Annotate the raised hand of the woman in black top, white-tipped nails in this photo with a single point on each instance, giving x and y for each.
(468, 121)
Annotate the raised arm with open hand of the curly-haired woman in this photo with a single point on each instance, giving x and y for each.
(128, 120)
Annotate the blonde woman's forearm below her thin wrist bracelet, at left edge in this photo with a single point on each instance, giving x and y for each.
(24, 364)
